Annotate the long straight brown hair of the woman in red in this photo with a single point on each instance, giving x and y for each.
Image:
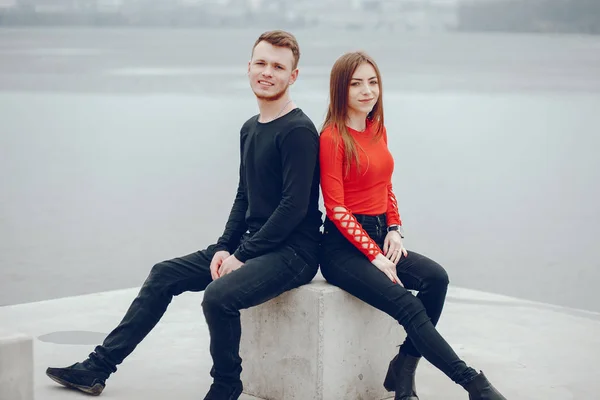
(337, 113)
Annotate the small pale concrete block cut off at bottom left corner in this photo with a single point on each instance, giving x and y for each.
(16, 367)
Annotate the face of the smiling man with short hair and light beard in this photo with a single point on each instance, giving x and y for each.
(270, 71)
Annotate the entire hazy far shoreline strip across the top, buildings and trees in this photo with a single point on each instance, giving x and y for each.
(469, 16)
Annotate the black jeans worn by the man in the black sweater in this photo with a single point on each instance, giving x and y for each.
(258, 280)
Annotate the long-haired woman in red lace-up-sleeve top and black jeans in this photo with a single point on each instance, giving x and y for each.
(362, 250)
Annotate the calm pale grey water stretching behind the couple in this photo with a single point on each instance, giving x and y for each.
(118, 150)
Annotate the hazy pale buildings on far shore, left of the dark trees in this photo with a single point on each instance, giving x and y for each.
(344, 14)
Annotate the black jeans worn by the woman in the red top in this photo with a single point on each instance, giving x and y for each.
(343, 265)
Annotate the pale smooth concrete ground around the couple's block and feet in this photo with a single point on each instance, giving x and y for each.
(530, 350)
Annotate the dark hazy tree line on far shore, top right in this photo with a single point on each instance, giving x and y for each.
(563, 16)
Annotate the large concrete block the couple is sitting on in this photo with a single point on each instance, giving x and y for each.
(317, 342)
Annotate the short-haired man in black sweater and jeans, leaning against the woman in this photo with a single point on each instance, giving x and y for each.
(269, 245)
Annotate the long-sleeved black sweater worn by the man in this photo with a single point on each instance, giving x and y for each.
(277, 201)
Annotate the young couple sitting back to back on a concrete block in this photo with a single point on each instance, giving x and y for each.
(272, 241)
